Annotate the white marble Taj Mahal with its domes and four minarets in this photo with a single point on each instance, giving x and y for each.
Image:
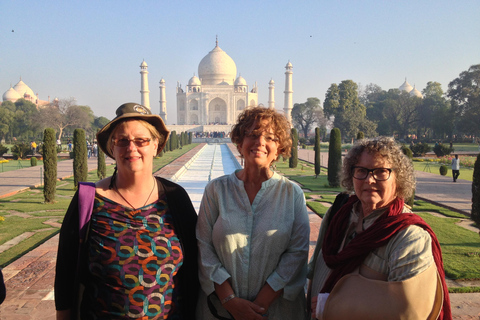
(213, 100)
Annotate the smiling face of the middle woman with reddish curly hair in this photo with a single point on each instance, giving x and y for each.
(259, 147)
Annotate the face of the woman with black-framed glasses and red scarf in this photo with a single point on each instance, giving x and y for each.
(374, 194)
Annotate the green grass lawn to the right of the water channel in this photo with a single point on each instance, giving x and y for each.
(460, 247)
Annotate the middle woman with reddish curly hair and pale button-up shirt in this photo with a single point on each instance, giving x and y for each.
(253, 230)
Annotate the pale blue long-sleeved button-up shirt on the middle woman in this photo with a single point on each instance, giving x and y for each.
(267, 241)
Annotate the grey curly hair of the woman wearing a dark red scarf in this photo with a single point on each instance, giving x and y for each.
(390, 151)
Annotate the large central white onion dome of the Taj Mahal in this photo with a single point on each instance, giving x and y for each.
(217, 67)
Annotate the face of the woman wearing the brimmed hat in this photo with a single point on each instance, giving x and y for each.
(134, 156)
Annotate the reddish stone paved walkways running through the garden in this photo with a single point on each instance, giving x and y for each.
(29, 280)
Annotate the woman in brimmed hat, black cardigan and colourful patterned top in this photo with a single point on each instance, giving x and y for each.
(139, 259)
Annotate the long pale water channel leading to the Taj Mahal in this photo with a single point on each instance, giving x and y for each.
(213, 161)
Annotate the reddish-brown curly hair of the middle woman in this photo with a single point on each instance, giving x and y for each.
(253, 116)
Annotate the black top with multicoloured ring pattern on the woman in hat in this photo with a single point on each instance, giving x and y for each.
(133, 257)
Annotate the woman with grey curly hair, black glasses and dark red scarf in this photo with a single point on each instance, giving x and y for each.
(374, 258)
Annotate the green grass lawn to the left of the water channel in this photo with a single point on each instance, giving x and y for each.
(27, 212)
